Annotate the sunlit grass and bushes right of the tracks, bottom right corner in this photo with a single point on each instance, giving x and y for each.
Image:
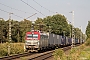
(77, 53)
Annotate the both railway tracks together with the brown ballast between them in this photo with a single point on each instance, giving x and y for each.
(36, 56)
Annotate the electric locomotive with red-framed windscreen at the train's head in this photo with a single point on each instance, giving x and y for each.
(35, 41)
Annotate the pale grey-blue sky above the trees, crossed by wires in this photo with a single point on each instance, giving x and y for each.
(25, 8)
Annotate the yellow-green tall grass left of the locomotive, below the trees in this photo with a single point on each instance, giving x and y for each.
(15, 48)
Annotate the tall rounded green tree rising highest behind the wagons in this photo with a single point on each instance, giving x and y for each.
(57, 24)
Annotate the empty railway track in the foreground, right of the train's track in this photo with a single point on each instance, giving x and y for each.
(47, 55)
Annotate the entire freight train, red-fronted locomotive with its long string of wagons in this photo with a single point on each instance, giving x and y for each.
(37, 41)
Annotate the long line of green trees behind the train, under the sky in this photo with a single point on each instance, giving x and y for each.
(57, 24)
